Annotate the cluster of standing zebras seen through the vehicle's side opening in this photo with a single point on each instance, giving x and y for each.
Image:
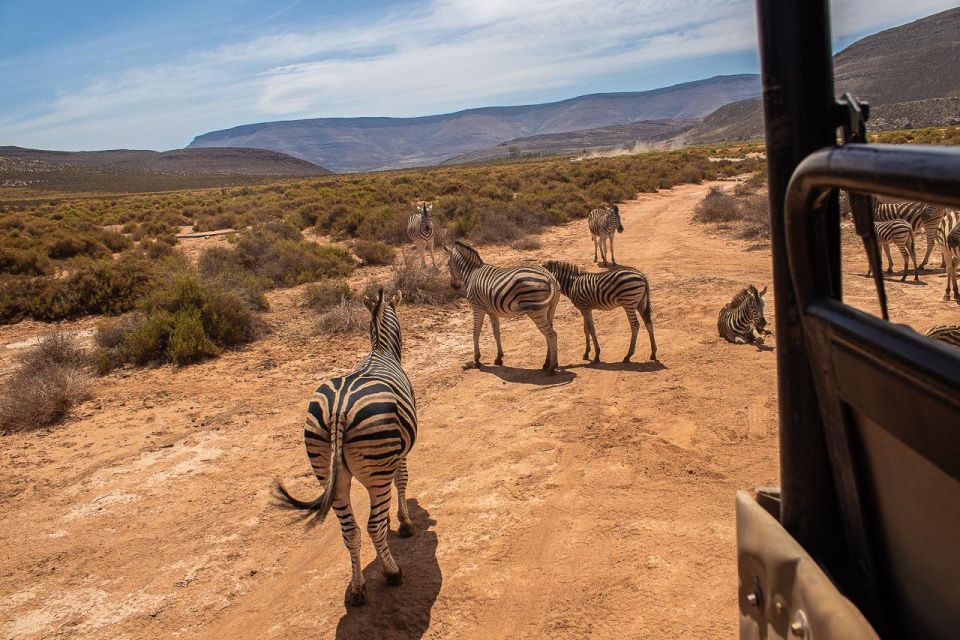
(899, 224)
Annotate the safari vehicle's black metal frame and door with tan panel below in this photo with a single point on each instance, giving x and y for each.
(862, 538)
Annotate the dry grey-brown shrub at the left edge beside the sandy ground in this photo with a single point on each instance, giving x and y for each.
(50, 379)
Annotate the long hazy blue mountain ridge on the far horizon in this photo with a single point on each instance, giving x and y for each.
(364, 144)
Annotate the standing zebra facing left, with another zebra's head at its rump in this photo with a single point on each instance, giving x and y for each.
(505, 293)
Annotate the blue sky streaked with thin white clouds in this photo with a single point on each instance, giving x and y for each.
(151, 75)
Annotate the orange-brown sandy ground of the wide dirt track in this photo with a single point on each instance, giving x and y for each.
(594, 504)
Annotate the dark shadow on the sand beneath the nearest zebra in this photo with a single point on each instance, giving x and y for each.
(404, 611)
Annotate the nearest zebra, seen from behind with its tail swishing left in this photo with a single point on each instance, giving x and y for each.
(363, 425)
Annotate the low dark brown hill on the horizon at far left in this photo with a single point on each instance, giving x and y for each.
(131, 170)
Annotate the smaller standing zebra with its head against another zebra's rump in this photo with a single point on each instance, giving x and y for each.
(625, 287)
